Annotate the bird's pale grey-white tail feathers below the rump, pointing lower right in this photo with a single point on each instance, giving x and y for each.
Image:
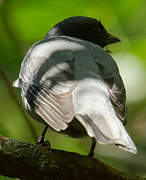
(107, 131)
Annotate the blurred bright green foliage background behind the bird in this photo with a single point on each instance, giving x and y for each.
(24, 22)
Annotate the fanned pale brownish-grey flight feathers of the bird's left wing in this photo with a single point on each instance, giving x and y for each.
(52, 108)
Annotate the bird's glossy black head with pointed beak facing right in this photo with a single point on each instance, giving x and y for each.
(85, 28)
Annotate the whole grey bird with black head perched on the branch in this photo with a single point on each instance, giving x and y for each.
(72, 85)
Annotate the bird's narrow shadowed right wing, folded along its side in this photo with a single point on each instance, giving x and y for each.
(110, 73)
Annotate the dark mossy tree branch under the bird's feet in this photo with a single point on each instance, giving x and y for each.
(30, 161)
